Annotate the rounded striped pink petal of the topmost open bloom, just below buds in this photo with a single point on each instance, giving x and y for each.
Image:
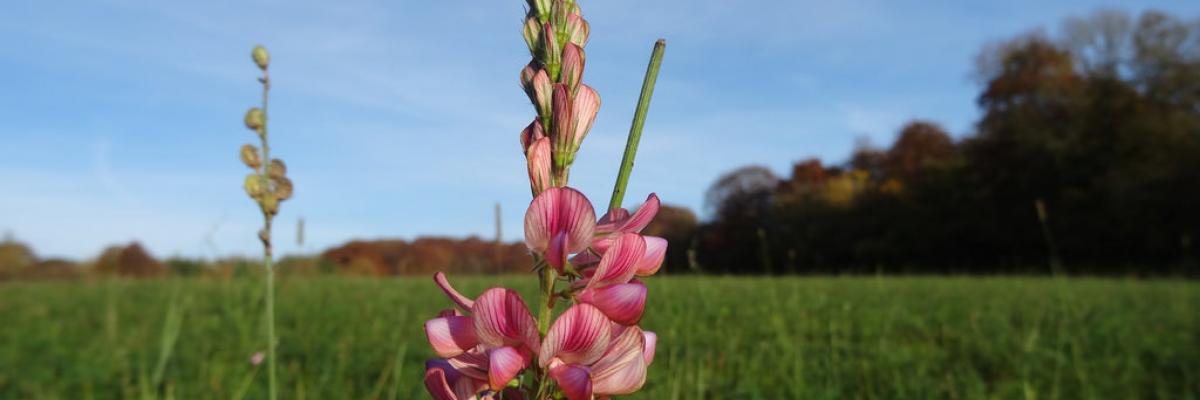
(559, 211)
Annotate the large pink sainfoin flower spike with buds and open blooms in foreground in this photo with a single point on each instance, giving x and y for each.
(491, 347)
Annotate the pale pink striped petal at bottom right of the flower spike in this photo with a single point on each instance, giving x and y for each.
(622, 371)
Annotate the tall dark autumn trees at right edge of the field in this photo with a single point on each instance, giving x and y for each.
(1087, 160)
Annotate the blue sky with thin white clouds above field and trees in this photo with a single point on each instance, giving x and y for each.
(122, 121)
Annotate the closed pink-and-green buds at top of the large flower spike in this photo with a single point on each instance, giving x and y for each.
(556, 34)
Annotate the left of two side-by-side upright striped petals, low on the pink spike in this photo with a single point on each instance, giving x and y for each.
(502, 319)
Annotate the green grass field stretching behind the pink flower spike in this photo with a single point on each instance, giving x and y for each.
(721, 338)
